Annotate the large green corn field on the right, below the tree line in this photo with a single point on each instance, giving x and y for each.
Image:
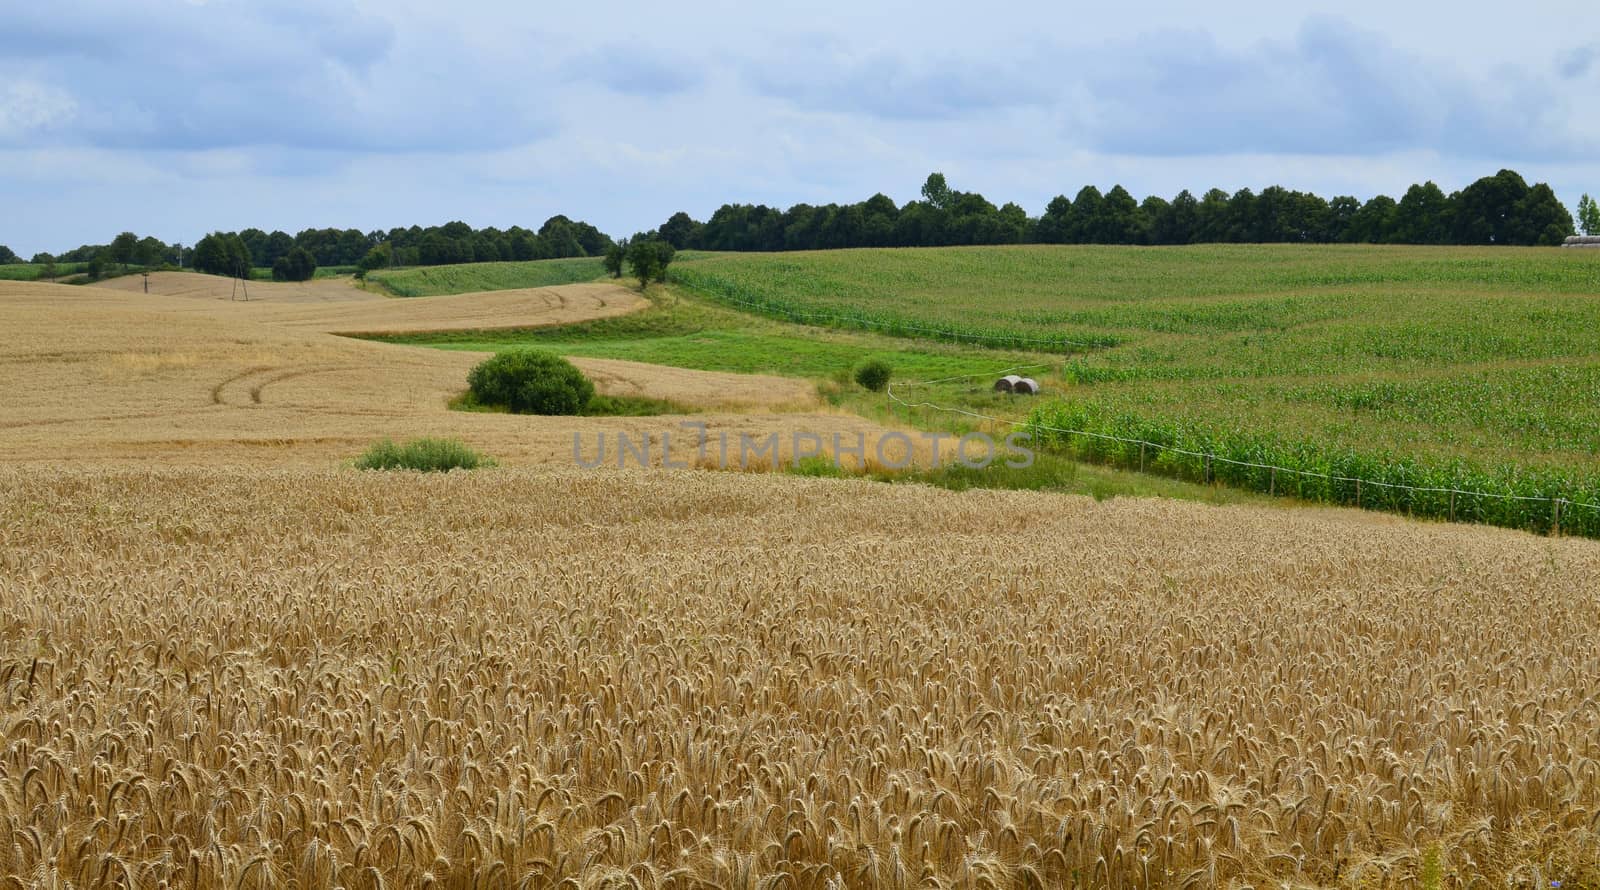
(1417, 366)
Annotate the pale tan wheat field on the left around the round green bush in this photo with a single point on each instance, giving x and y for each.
(106, 377)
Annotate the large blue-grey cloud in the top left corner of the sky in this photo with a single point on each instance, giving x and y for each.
(303, 74)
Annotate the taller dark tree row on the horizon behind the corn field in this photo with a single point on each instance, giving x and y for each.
(1495, 210)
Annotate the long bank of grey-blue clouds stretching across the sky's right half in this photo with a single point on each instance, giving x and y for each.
(1332, 90)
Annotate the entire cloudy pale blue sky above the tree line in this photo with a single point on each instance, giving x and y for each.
(177, 118)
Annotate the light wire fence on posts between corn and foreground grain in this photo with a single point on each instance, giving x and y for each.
(1210, 460)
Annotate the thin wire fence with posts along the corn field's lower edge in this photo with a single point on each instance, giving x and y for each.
(1558, 505)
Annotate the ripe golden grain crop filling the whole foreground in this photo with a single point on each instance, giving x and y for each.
(532, 678)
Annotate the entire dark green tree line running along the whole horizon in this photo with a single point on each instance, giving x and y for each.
(1495, 210)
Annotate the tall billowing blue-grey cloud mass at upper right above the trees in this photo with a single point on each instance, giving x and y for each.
(1335, 92)
